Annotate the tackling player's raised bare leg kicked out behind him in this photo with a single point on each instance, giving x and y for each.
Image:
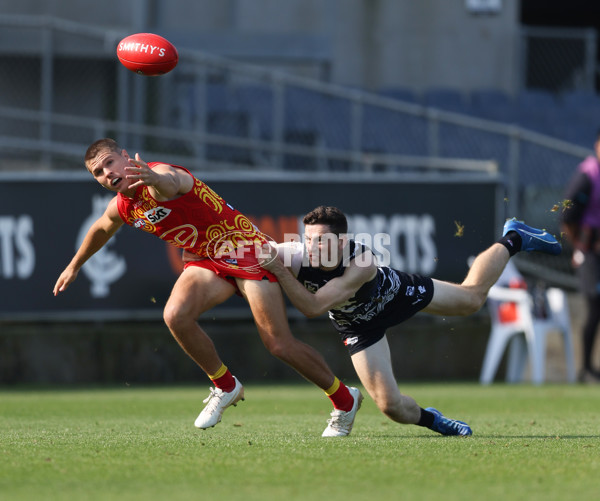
(470, 296)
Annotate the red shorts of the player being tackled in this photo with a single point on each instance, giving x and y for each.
(241, 264)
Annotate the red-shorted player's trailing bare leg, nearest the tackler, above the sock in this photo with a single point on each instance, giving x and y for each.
(268, 308)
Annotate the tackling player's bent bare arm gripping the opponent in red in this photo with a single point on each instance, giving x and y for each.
(333, 293)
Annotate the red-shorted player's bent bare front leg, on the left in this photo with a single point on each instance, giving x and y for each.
(197, 290)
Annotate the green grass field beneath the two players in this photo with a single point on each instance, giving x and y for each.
(140, 444)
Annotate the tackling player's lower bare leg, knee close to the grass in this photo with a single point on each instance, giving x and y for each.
(374, 368)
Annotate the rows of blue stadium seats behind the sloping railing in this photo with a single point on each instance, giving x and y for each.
(313, 118)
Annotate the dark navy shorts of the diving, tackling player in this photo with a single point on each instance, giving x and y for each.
(361, 335)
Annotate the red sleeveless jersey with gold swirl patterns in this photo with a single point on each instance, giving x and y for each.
(199, 221)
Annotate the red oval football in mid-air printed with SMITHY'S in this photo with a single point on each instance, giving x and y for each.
(147, 54)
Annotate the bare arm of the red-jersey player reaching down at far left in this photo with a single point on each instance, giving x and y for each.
(99, 233)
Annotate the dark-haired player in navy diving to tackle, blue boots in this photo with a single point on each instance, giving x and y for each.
(331, 273)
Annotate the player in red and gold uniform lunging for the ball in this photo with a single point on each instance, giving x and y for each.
(168, 201)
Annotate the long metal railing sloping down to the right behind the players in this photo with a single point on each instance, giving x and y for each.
(64, 88)
